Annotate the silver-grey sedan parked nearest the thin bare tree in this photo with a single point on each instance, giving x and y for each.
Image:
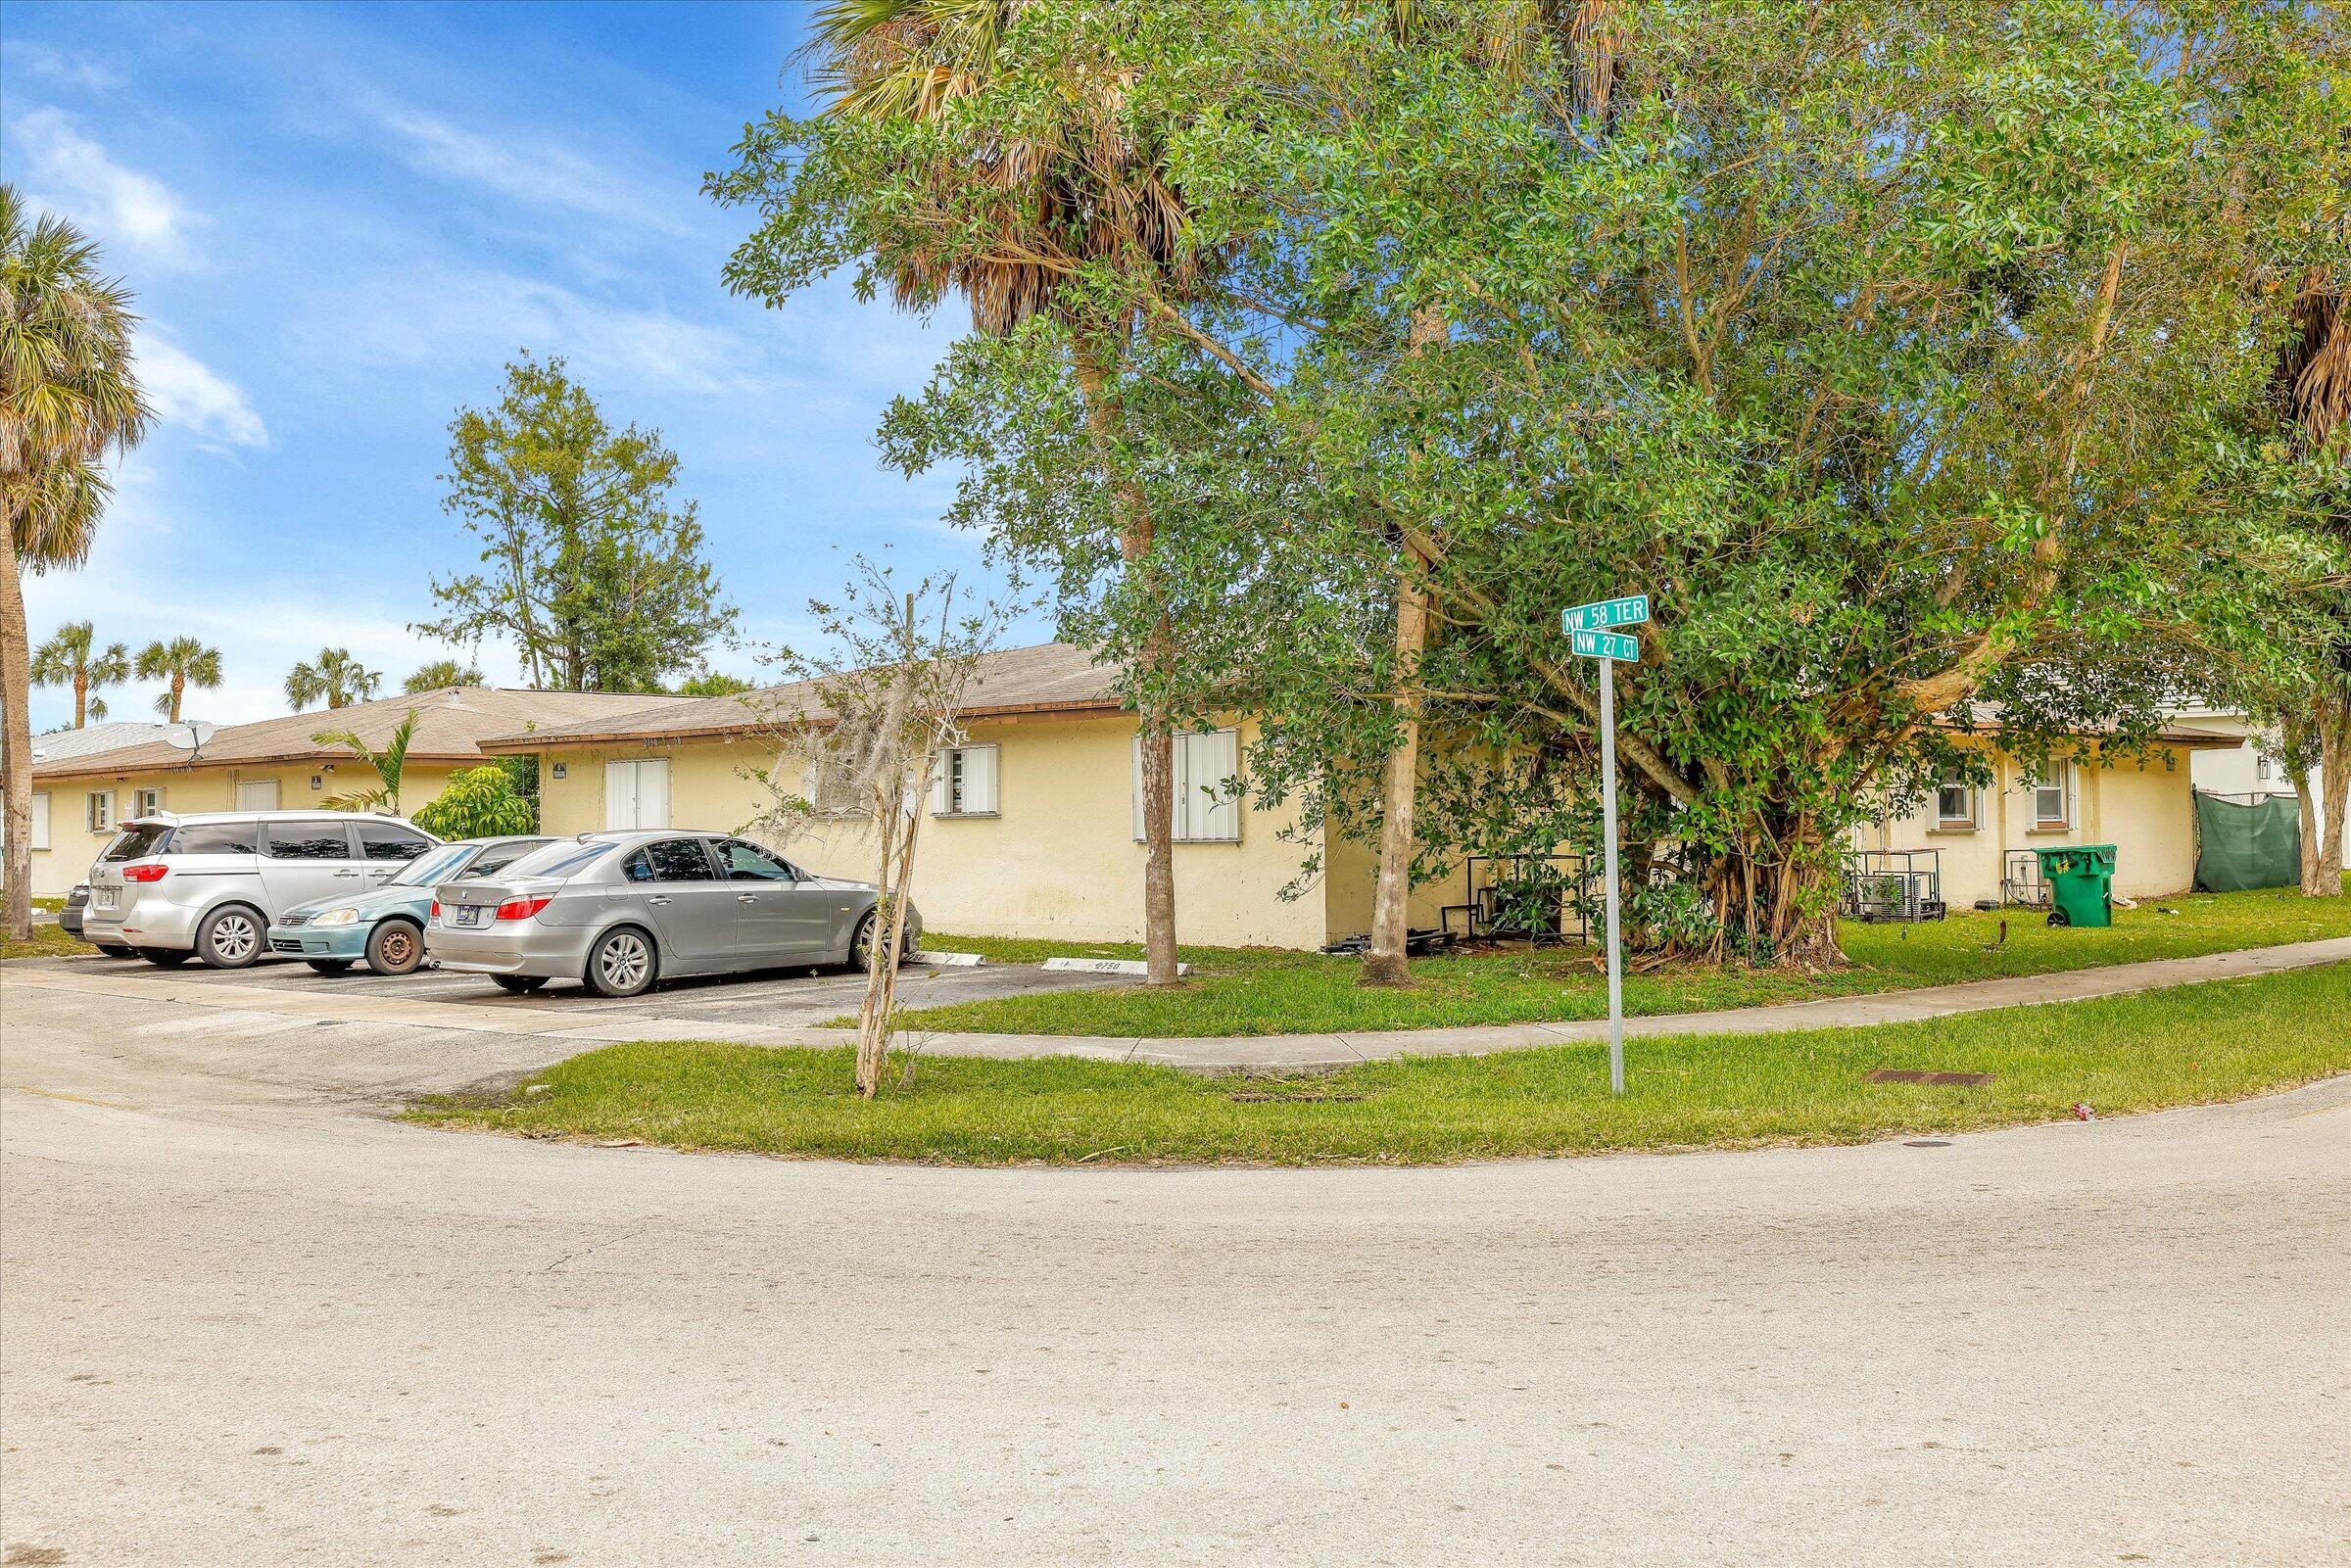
(624, 911)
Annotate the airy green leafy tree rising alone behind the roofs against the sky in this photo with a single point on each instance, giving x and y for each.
(591, 570)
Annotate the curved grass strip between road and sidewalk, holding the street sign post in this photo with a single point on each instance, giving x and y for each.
(2178, 1047)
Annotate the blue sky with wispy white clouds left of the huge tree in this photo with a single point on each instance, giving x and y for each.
(342, 220)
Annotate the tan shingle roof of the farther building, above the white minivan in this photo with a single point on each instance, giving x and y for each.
(450, 728)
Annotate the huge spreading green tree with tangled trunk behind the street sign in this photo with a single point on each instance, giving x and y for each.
(1891, 349)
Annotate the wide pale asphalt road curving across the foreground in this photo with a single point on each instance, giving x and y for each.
(246, 1322)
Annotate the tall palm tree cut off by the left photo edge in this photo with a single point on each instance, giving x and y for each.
(67, 394)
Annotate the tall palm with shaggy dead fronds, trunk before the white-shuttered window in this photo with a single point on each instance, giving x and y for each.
(1085, 194)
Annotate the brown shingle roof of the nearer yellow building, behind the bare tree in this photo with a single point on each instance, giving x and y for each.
(1045, 678)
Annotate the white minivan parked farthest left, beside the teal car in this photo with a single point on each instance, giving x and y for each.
(208, 885)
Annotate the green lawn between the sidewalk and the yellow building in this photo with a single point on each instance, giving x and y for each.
(1252, 991)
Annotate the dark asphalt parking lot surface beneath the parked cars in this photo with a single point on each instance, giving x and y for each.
(775, 998)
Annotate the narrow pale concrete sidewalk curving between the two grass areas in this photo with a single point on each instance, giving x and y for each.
(549, 1017)
